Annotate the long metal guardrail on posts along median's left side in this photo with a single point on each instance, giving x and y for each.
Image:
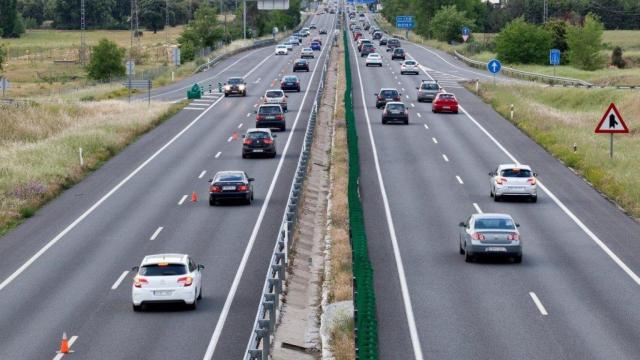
(259, 346)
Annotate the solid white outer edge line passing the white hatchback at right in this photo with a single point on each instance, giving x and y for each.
(562, 206)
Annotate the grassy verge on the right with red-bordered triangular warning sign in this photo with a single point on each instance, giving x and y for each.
(558, 118)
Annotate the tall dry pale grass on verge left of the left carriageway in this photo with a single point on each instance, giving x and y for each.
(39, 147)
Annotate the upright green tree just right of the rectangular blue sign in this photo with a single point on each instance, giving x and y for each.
(585, 44)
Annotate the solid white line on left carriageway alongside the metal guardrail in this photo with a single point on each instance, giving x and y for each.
(215, 337)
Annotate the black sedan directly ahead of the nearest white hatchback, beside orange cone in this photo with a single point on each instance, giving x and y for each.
(230, 185)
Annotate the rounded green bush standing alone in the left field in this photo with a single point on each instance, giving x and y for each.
(107, 61)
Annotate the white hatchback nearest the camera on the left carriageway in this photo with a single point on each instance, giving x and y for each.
(166, 278)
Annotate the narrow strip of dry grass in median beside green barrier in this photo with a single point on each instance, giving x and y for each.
(340, 288)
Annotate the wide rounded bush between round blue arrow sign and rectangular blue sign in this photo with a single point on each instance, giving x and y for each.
(524, 43)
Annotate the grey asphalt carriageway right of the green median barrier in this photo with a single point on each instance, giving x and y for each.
(574, 295)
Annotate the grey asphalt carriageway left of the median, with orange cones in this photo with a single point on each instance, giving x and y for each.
(68, 268)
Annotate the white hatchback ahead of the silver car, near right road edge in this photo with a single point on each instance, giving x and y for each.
(513, 180)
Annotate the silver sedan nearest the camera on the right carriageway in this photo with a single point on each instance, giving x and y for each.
(490, 234)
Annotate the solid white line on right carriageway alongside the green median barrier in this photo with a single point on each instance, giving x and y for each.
(406, 299)
